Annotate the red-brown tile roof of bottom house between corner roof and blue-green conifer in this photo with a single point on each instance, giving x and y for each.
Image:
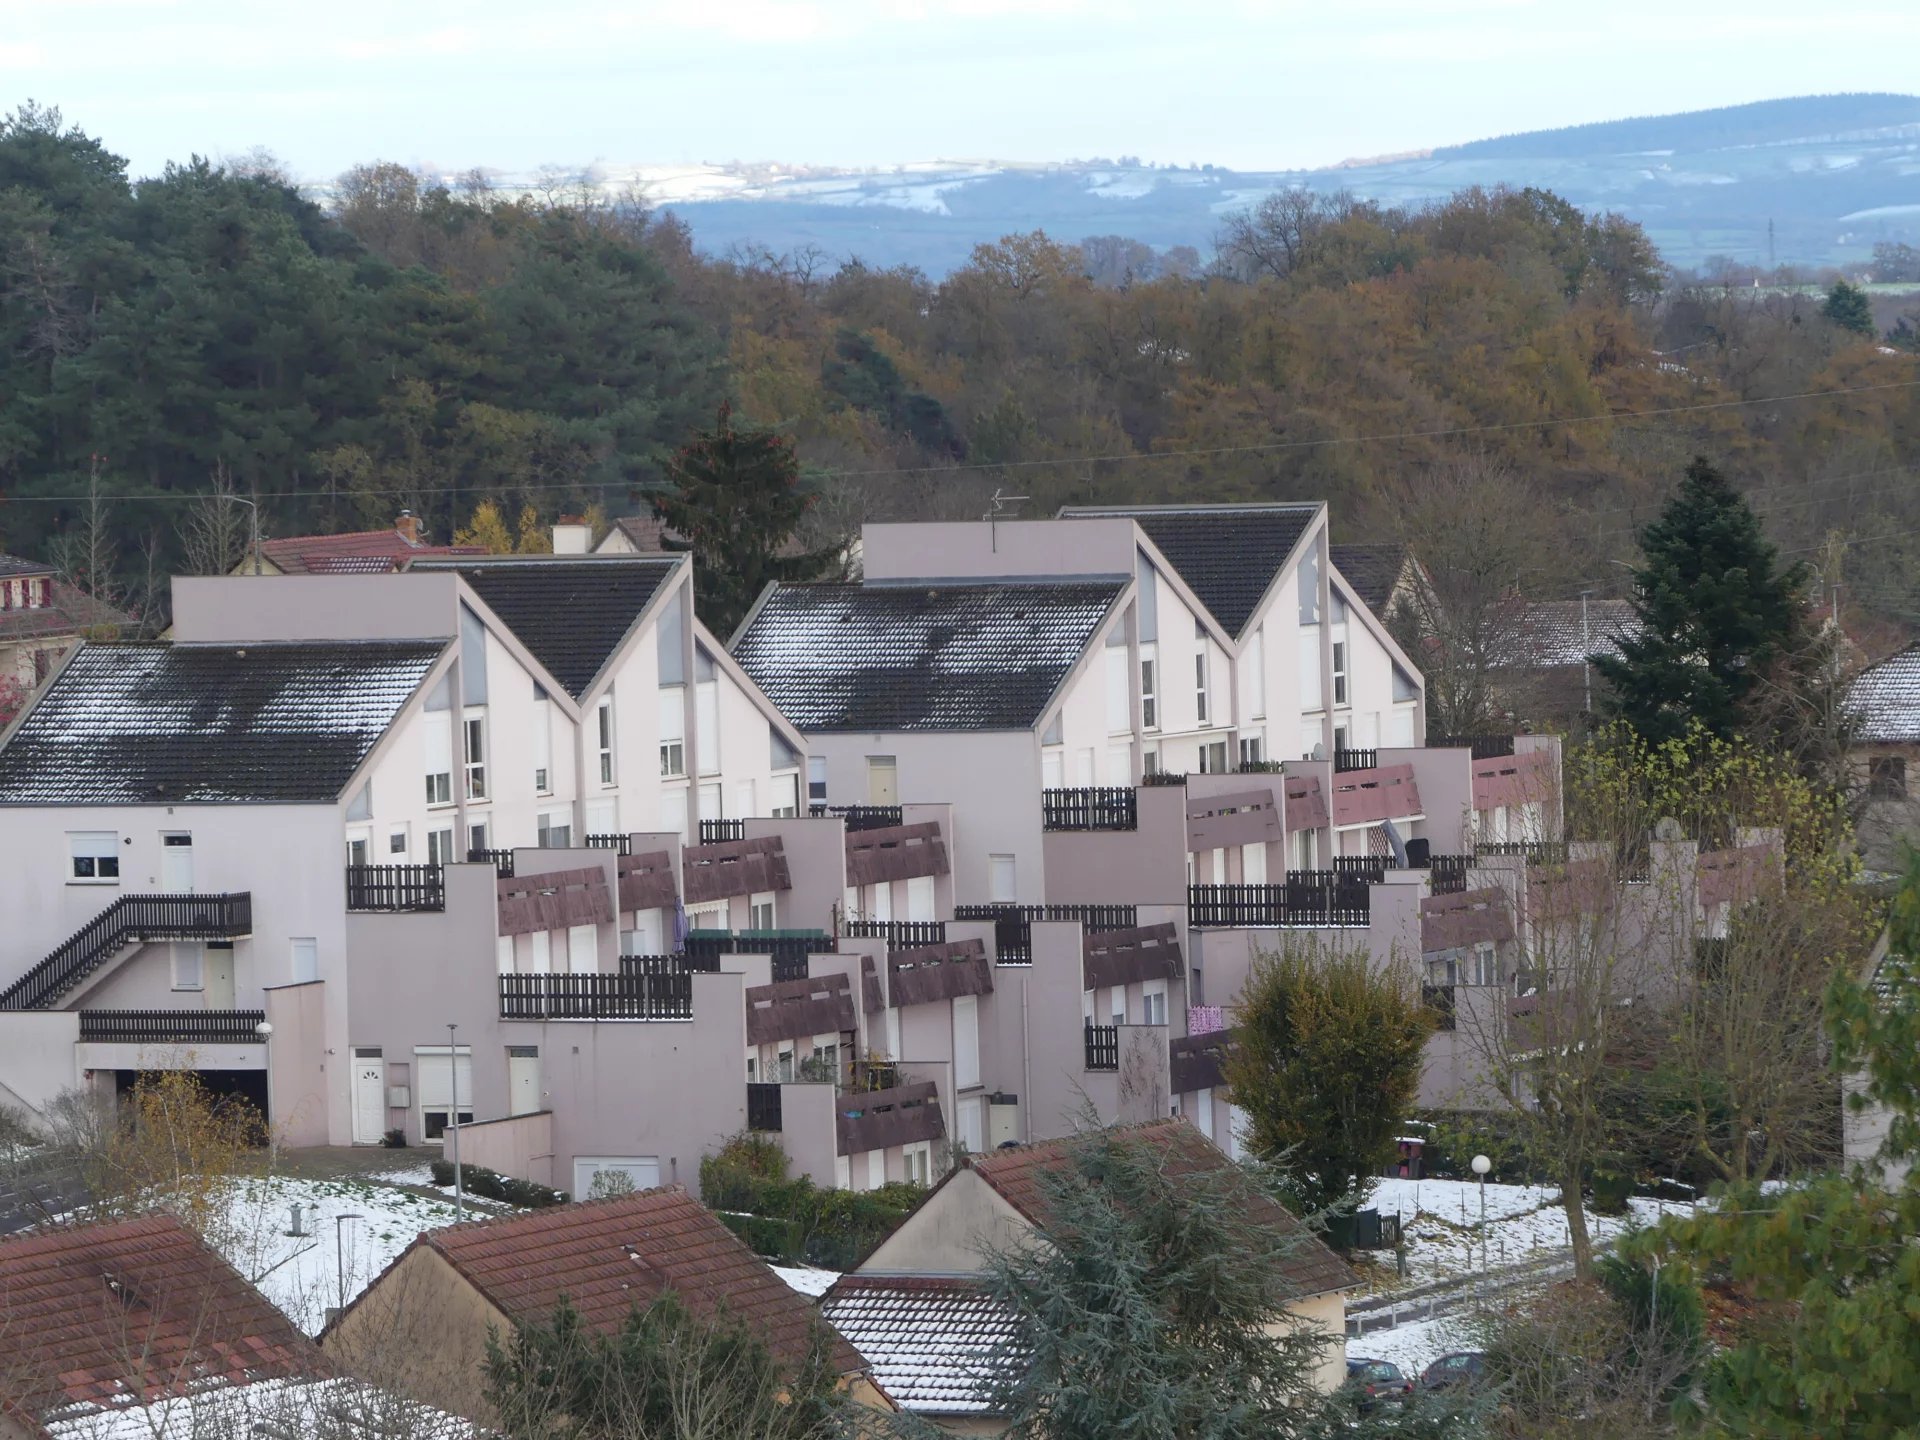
(613, 1257)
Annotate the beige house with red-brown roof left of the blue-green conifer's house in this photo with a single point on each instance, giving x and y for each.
(423, 1326)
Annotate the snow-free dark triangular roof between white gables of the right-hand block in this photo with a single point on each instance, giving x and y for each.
(1226, 554)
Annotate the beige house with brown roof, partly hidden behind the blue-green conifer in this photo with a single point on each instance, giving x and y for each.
(923, 1318)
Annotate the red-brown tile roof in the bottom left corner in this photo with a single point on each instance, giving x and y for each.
(135, 1308)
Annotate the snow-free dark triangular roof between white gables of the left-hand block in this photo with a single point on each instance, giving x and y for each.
(571, 612)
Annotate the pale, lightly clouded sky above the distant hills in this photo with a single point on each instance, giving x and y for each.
(1247, 84)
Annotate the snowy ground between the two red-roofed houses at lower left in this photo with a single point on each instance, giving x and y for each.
(306, 1274)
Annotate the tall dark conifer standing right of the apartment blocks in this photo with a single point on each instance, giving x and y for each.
(1716, 608)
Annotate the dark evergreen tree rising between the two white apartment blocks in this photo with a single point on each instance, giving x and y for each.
(736, 502)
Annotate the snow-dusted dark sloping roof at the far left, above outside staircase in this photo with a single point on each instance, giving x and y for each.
(156, 723)
